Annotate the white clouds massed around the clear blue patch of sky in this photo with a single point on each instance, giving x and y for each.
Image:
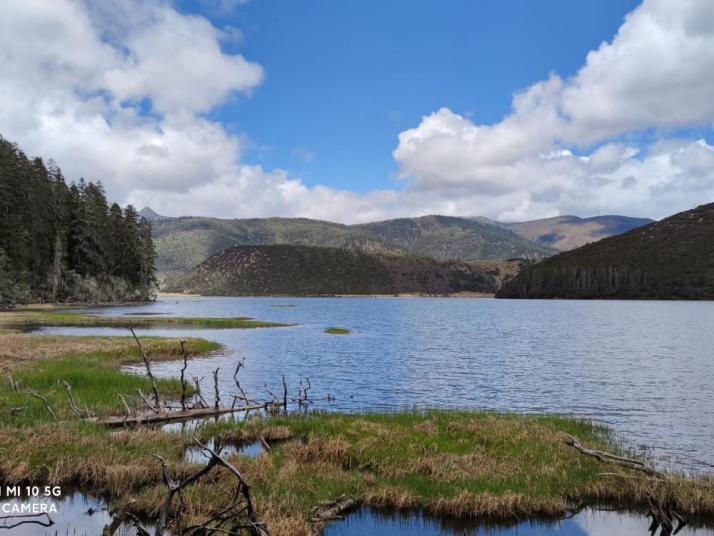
(122, 93)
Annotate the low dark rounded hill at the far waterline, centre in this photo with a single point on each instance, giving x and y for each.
(309, 270)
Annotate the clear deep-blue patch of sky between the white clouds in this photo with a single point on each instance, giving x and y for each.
(344, 78)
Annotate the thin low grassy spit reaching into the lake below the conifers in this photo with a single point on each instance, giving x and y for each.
(39, 317)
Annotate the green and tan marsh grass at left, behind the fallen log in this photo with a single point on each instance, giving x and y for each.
(94, 374)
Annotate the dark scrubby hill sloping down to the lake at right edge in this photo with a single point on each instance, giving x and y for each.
(669, 259)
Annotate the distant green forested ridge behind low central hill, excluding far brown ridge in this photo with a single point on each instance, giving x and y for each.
(184, 242)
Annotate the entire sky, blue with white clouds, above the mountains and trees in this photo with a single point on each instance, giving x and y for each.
(361, 110)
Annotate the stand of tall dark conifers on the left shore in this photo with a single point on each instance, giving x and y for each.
(63, 243)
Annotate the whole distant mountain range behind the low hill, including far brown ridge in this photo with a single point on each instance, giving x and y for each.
(185, 242)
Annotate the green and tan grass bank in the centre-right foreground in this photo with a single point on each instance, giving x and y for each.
(447, 463)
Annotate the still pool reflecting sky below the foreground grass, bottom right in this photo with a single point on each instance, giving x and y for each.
(589, 522)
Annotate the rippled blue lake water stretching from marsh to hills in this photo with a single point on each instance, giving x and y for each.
(644, 367)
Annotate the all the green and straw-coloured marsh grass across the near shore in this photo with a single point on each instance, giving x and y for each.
(463, 463)
